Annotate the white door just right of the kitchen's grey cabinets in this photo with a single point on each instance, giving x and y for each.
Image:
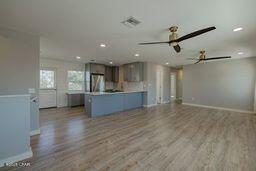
(159, 87)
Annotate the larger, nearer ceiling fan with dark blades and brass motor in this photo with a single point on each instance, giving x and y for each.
(174, 40)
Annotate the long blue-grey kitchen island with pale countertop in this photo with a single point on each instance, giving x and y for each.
(103, 103)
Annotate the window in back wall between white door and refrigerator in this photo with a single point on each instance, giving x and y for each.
(75, 80)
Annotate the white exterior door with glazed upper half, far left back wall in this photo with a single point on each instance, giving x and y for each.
(47, 92)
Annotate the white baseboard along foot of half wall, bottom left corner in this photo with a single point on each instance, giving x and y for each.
(16, 158)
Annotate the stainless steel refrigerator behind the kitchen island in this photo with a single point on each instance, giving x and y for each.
(97, 83)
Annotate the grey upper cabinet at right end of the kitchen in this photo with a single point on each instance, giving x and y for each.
(133, 72)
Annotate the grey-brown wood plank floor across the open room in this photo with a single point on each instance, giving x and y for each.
(166, 137)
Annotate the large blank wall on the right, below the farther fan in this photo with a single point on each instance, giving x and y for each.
(227, 84)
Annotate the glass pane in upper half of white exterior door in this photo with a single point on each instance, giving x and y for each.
(47, 79)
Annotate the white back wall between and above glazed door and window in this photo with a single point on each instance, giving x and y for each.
(62, 68)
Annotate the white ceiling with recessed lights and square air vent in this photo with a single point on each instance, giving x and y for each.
(70, 28)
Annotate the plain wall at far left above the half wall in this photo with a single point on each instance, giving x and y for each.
(19, 62)
